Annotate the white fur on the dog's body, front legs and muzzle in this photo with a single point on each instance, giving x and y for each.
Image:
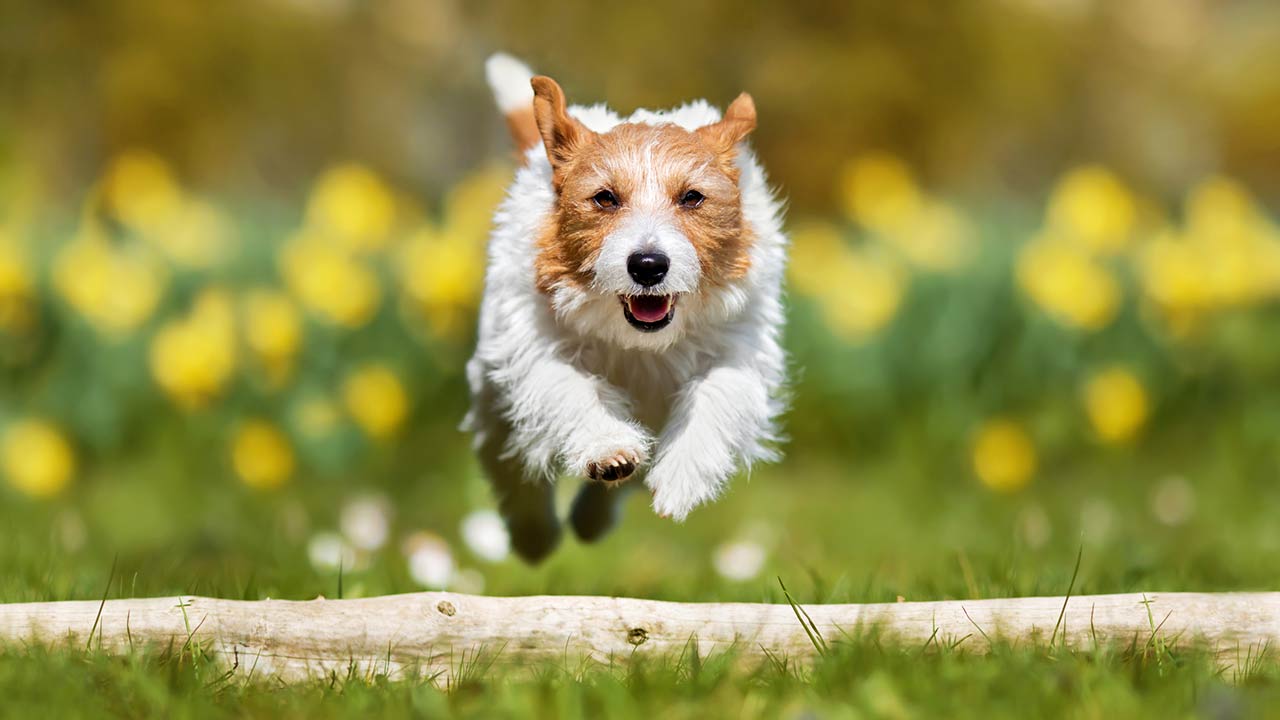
(563, 382)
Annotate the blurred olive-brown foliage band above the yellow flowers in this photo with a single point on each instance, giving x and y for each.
(988, 97)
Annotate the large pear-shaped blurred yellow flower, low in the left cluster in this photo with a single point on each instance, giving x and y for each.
(194, 358)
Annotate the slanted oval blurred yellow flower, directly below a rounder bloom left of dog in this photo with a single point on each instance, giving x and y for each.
(330, 281)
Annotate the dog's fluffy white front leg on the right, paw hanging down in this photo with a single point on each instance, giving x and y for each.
(720, 422)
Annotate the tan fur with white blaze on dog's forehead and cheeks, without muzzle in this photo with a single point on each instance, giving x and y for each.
(648, 168)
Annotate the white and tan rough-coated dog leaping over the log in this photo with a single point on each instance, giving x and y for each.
(633, 311)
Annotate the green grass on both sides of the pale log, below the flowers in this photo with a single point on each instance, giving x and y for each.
(835, 530)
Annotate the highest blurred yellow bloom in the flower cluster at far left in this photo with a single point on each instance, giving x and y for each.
(141, 192)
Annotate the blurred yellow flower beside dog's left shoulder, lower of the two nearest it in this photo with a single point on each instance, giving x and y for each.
(442, 277)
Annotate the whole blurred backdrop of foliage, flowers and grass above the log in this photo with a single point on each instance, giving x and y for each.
(1035, 293)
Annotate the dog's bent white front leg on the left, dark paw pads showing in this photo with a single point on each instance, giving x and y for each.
(566, 418)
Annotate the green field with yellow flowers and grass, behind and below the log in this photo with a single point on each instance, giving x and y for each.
(982, 395)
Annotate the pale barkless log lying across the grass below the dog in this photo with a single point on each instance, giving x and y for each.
(442, 635)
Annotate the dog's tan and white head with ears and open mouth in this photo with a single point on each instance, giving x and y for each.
(648, 221)
